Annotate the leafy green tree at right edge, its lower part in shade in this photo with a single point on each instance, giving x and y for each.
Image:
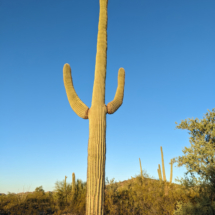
(200, 157)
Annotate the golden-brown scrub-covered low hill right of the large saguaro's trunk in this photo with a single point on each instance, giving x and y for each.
(143, 195)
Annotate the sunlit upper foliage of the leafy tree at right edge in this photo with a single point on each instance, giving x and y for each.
(200, 157)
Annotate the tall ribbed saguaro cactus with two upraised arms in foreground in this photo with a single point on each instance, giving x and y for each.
(97, 116)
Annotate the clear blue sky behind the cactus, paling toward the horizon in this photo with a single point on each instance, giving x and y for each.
(167, 49)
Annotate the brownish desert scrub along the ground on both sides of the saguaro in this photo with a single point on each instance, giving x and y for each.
(139, 195)
